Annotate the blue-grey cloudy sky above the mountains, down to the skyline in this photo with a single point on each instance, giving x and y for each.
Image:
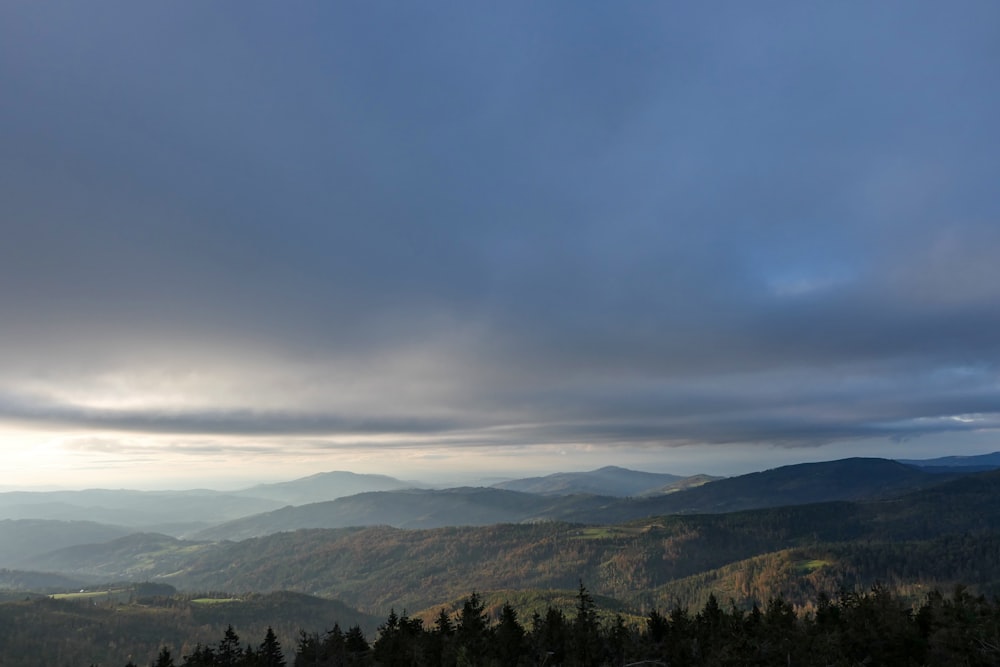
(249, 241)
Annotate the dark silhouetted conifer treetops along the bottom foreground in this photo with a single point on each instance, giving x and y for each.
(875, 627)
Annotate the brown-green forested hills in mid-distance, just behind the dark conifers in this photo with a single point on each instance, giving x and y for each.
(933, 536)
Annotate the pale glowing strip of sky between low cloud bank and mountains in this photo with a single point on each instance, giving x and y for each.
(54, 461)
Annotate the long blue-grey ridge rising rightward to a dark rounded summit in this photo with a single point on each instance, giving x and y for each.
(848, 479)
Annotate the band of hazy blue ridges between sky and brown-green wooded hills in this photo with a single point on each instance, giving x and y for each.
(32, 523)
